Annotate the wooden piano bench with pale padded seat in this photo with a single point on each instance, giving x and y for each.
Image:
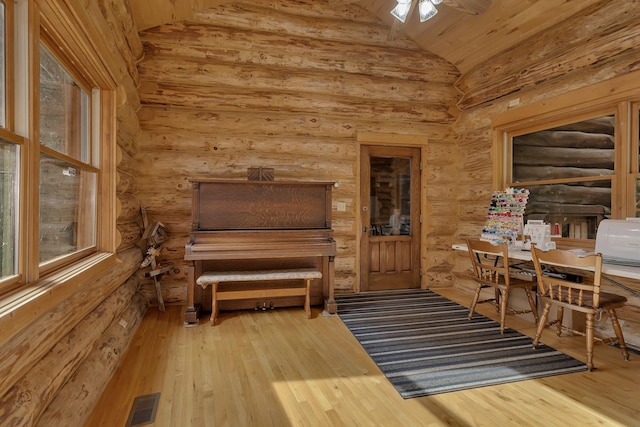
(213, 278)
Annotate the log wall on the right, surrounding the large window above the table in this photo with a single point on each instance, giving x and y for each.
(598, 44)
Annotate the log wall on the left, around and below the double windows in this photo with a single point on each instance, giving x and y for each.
(53, 371)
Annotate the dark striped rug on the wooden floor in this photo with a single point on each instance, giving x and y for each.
(425, 344)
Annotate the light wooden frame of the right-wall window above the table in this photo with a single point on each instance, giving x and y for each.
(620, 96)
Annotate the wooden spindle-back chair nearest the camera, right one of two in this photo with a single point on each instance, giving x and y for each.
(583, 297)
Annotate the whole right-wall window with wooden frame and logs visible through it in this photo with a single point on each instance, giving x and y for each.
(578, 155)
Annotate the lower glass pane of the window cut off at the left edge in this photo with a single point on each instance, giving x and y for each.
(8, 208)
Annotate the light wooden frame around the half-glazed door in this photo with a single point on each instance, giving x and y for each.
(393, 140)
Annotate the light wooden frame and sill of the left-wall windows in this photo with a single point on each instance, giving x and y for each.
(33, 288)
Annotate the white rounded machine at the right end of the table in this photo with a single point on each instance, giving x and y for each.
(619, 241)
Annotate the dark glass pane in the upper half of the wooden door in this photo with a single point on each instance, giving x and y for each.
(390, 202)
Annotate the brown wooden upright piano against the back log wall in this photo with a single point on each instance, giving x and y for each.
(260, 225)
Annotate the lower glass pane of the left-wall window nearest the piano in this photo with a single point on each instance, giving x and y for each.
(67, 208)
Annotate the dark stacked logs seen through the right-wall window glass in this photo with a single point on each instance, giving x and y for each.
(568, 171)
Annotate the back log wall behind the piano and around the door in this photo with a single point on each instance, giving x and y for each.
(286, 85)
